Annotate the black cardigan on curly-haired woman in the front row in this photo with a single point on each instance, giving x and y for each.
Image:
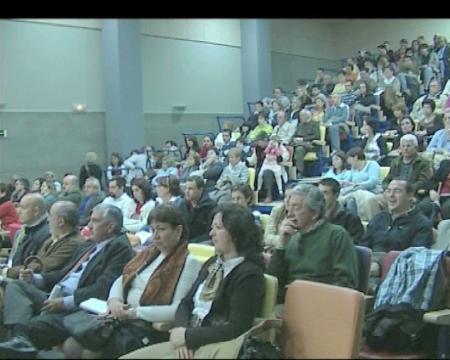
(236, 304)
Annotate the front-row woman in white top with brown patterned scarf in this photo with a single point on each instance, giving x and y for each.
(149, 290)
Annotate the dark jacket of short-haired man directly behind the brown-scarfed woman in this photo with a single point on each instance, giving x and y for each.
(198, 219)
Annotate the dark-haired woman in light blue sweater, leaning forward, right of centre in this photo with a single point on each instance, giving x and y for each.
(361, 183)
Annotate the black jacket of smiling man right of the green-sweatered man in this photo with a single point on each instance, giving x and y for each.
(410, 229)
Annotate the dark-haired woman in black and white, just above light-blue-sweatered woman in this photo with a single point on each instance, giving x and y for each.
(373, 143)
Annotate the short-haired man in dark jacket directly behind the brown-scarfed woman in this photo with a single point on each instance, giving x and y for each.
(196, 208)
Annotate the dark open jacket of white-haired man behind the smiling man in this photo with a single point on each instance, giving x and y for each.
(421, 172)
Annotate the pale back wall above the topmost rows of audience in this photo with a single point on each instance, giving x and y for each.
(357, 34)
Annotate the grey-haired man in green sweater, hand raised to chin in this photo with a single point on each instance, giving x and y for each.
(310, 248)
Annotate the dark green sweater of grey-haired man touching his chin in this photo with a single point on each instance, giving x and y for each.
(325, 254)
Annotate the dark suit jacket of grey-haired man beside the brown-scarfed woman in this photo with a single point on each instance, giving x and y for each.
(100, 272)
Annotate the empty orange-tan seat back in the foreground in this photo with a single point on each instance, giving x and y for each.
(322, 321)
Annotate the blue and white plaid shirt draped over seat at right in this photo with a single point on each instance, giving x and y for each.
(411, 279)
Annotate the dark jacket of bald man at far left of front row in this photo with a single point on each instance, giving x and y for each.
(33, 240)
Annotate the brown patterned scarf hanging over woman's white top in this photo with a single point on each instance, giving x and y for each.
(162, 283)
